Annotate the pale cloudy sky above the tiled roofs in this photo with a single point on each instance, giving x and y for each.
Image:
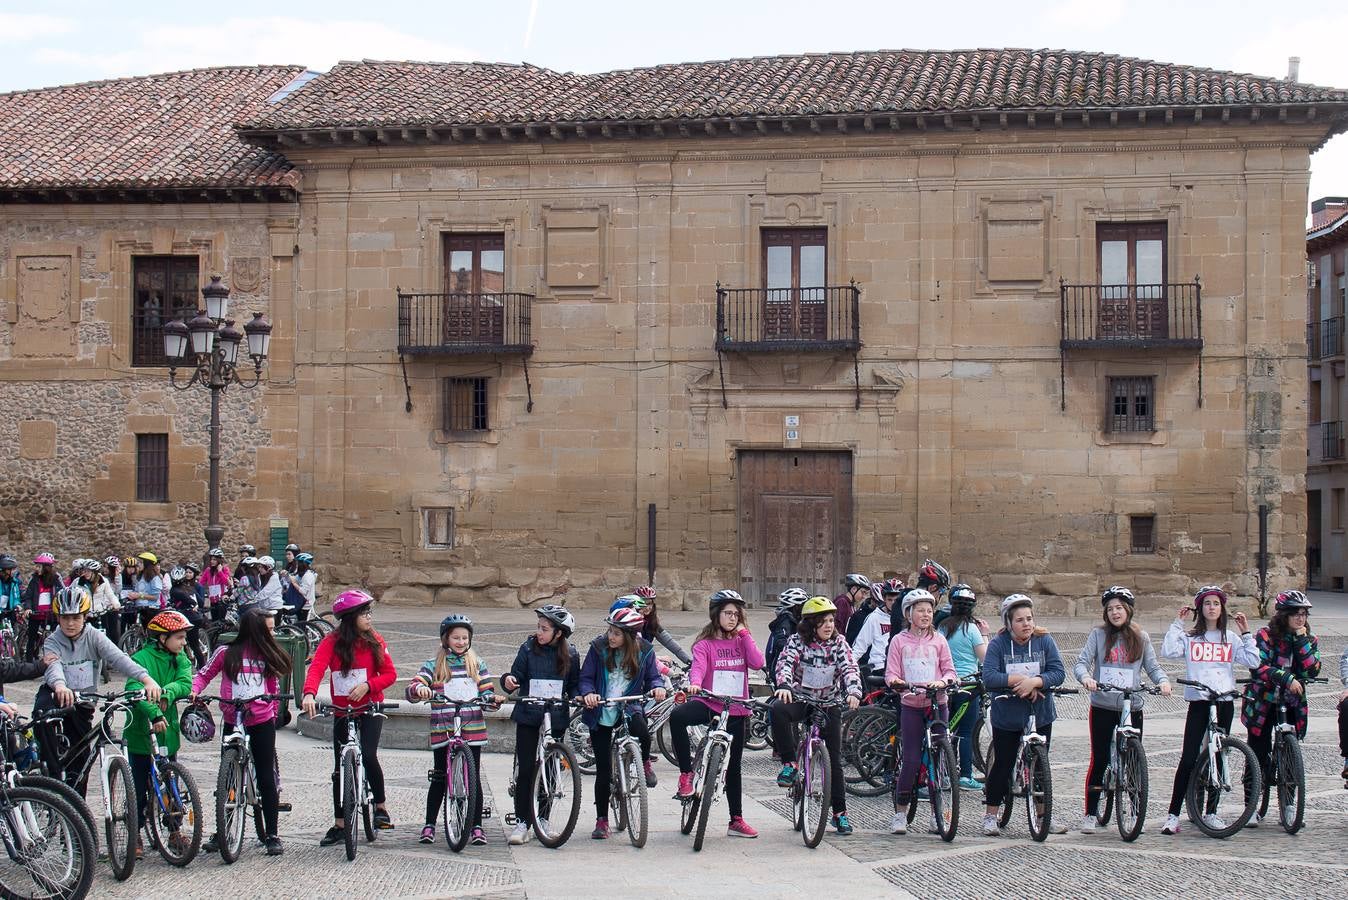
(88, 40)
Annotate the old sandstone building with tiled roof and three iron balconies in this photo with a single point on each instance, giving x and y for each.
(757, 323)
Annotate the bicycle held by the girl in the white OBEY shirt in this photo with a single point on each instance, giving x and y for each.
(1213, 774)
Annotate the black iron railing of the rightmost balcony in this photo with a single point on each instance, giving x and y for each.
(1133, 316)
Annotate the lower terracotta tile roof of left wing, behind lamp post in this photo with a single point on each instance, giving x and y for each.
(156, 131)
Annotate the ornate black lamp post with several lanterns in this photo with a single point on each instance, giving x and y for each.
(210, 344)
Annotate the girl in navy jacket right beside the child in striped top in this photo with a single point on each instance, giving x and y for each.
(547, 666)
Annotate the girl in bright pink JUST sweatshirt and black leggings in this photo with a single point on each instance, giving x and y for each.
(723, 654)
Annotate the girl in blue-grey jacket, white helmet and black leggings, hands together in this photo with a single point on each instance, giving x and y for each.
(1022, 662)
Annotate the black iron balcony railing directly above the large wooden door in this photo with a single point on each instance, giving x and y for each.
(789, 319)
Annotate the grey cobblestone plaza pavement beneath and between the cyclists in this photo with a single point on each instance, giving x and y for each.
(869, 864)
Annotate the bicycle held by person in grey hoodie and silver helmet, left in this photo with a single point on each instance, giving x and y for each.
(119, 800)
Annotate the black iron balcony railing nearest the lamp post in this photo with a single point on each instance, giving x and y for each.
(464, 324)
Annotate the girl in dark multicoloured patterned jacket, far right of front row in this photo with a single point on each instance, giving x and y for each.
(1288, 654)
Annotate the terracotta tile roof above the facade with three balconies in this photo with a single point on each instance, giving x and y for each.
(373, 94)
